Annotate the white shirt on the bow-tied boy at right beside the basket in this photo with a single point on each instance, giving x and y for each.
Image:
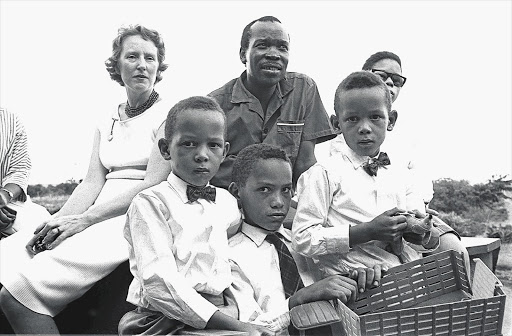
(336, 194)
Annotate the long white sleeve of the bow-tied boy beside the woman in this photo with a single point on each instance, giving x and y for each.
(162, 285)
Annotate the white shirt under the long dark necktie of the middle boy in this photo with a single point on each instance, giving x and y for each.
(257, 287)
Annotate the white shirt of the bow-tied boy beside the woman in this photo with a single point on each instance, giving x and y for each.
(179, 248)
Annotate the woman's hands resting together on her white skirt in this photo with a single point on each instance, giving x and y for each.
(51, 233)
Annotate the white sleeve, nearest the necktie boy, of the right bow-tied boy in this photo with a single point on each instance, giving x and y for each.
(311, 233)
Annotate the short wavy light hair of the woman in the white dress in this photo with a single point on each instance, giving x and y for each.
(117, 47)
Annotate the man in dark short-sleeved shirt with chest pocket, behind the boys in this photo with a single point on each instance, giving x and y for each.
(267, 104)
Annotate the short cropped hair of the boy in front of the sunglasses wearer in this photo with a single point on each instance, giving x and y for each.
(361, 80)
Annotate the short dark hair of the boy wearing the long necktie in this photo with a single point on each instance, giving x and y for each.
(249, 156)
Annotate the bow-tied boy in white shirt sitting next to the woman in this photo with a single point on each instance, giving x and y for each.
(177, 231)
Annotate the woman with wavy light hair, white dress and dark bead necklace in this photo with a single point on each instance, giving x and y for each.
(45, 270)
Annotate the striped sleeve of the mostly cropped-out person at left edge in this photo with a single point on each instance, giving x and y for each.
(18, 170)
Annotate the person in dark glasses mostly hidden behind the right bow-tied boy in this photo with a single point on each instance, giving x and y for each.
(388, 66)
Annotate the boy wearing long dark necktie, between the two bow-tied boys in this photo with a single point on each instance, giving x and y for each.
(265, 287)
